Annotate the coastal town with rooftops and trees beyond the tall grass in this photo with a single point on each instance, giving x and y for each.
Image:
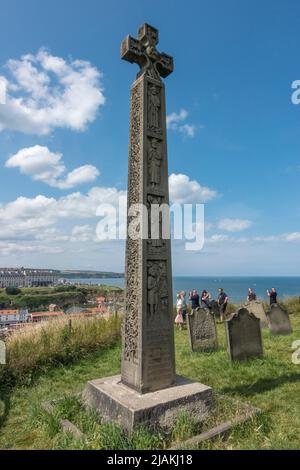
(18, 285)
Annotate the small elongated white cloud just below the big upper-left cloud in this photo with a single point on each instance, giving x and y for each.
(43, 165)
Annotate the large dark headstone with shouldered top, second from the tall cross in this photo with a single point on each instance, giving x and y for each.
(244, 339)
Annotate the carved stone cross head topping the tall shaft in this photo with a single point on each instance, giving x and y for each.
(143, 52)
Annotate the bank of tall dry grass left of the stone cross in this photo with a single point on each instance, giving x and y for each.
(40, 346)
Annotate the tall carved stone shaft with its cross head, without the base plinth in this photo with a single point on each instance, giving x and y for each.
(148, 360)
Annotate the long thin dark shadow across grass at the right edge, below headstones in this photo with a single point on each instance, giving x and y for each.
(262, 385)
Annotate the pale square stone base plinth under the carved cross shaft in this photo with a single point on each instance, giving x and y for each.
(114, 401)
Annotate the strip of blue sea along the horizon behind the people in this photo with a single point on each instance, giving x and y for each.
(235, 287)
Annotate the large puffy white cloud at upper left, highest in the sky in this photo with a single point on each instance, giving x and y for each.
(44, 92)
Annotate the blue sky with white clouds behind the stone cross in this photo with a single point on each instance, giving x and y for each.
(235, 130)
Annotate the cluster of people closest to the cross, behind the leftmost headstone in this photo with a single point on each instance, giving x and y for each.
(204, 301)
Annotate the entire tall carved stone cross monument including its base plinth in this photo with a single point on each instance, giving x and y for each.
(148, 390)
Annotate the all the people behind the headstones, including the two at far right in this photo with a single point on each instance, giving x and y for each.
(206, 301)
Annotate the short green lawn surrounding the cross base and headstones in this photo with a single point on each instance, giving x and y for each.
(271, 383)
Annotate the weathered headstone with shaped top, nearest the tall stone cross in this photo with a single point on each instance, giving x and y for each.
(202, 330)
